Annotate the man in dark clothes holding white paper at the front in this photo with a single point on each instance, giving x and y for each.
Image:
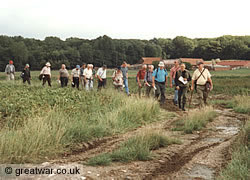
(182, 79)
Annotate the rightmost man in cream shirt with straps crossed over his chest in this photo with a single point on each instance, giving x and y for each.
(202, 79)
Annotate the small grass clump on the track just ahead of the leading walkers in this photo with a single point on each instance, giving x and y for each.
(195, 120)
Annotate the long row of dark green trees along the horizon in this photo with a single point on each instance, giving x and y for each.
(112, 52)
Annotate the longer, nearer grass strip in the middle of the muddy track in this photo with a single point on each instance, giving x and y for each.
(136, 148)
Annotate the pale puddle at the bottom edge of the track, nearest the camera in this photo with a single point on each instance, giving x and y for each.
(201, 171)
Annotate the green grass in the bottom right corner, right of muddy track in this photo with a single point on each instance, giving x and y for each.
(239, 166)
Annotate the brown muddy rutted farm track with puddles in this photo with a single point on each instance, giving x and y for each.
(200, 156)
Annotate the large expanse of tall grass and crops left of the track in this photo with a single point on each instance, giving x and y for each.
(39, 123)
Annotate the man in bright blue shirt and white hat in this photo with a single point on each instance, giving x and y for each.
(159, 79)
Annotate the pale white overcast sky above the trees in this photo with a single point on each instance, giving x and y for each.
(124, 19)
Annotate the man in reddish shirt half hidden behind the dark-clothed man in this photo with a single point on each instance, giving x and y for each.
(173, 71)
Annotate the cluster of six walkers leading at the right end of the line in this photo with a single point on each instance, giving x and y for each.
(180, 79)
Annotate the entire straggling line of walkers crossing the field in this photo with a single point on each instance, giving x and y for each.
(147, 77)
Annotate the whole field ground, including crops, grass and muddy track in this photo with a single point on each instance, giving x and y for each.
(110, 135)
